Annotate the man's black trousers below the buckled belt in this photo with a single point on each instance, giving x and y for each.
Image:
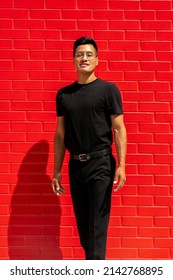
(91, 187)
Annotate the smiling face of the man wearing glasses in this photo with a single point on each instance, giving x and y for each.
(85, 59)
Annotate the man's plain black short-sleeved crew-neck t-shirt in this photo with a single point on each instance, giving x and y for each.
(87, 109)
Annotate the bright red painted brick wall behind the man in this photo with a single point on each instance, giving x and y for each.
(135, 43)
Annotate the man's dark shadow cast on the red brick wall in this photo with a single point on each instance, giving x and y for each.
(33, 231)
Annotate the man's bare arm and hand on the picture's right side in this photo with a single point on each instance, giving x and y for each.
(121, 148)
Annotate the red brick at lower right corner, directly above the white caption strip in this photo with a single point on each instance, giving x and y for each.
(154, 253)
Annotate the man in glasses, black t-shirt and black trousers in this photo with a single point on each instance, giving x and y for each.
(88, 109)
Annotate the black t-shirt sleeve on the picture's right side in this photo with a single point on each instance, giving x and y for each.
(114, 101)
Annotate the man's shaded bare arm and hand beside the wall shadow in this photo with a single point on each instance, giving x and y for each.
(59, 153)
